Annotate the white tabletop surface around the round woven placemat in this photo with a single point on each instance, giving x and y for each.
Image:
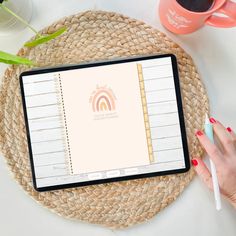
(193, 213)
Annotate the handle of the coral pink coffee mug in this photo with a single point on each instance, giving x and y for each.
(228, 9)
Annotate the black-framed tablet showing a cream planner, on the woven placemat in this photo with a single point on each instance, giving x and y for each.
(104, 121)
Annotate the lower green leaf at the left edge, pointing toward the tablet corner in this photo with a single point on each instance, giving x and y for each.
(12, 59)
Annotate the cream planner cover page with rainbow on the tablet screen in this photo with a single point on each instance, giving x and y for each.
(104, 118)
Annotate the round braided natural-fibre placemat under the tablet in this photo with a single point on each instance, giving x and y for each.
(95, 36)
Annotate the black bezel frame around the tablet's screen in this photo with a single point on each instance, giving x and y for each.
(99, 63)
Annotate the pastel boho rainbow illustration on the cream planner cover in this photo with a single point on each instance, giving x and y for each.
(103, 100)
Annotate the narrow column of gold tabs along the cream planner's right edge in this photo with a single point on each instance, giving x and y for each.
(145, 114)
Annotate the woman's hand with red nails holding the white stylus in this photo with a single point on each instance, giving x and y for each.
(224, 158)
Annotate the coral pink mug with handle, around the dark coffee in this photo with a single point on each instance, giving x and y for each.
(179, 20)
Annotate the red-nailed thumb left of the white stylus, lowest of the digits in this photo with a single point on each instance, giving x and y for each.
(203, 172)
